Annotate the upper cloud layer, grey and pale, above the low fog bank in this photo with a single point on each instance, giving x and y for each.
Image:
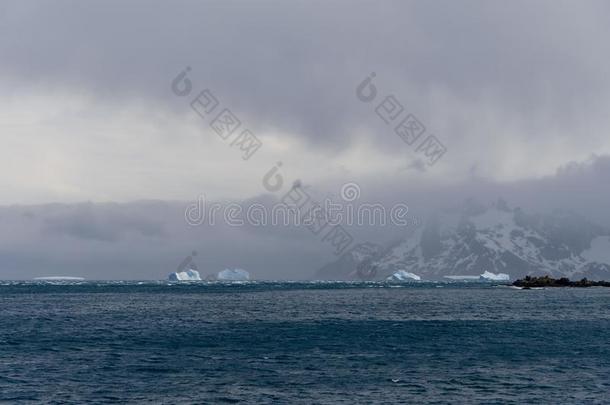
(513, 91)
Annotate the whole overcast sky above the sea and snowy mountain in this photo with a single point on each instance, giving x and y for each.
(92, 128)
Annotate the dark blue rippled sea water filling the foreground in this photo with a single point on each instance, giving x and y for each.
(296, 343)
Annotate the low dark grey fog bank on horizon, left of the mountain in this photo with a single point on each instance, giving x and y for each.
(99, 245)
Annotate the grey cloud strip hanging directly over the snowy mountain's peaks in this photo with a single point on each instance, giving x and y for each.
(578, 187)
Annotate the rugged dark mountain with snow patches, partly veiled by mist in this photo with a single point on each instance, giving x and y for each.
(476, 238)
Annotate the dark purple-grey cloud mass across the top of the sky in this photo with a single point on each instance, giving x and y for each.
(294, 66)
